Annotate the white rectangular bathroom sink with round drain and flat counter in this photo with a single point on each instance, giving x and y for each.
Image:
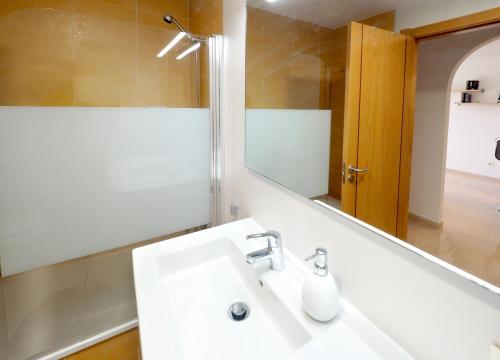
(185, 287)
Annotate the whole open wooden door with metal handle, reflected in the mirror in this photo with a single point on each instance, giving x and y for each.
(374, 125)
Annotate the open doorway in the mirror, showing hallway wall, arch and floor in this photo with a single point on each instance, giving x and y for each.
(456, 177)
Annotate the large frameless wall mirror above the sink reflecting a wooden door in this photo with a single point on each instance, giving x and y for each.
(387, 110)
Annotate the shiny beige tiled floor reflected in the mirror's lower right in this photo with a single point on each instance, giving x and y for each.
(470, 236)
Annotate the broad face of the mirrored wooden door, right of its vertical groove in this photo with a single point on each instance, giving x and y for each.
(380, 125)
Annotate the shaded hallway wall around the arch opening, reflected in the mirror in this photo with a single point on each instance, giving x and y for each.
(438, 59)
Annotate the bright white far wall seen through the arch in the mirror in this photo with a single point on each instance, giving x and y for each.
(474, 128)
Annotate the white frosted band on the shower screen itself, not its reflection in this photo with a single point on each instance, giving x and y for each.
(77, 180)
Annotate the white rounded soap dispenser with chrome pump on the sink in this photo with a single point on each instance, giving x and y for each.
(320, 296)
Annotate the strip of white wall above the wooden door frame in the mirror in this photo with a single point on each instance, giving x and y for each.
(427, 12)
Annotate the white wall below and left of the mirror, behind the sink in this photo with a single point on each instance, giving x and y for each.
(430, 311)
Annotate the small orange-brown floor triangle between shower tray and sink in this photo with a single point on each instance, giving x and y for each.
(121, 347)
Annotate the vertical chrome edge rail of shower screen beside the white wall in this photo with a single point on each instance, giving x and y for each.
(215, 63)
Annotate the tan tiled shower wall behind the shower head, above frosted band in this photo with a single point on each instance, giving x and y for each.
(100, 52)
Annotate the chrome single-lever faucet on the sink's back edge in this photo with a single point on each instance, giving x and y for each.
(273, 252)
